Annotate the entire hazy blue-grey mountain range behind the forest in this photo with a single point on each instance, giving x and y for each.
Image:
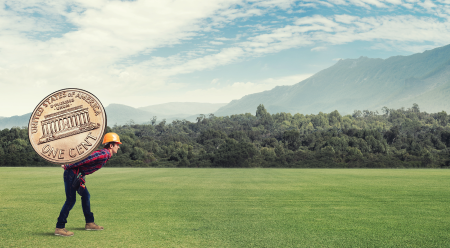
(348, 85)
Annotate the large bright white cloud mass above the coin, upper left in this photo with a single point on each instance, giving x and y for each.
(106, 33)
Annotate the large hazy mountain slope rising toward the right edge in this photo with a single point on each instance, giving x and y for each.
(363, 83)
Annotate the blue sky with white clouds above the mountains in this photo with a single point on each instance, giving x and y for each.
(141, 53)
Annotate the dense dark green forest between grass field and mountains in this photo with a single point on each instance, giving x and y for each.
(394, 138)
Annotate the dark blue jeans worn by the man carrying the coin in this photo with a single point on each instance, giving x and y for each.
(71, 197)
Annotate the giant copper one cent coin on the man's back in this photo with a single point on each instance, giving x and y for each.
(67, 126)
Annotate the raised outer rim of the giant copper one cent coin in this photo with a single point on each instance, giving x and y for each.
(96, 142)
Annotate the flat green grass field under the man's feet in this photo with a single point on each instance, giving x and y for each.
(231, 208)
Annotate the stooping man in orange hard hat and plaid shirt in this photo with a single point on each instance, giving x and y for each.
(89, 165)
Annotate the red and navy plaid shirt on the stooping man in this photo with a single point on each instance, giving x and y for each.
(91, 164)
